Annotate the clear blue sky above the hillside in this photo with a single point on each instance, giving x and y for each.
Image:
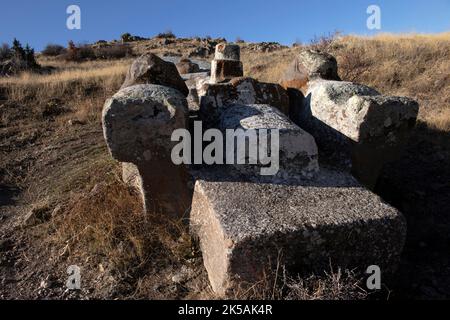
(39, 22)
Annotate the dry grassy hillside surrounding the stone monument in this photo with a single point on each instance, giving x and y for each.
(54, 164)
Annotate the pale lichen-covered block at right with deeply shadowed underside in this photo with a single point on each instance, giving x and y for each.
(356, 127)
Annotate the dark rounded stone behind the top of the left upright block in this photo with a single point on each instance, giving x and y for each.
(150, 69)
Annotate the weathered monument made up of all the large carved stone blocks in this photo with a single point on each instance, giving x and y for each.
(304, 216)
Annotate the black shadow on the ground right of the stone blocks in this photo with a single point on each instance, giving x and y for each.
(419, 186)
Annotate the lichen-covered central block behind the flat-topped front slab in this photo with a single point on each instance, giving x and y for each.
(296, 150)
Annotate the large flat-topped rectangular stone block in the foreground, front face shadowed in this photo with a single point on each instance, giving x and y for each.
(246, 228)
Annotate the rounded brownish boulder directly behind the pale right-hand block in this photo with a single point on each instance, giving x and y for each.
(309, 65)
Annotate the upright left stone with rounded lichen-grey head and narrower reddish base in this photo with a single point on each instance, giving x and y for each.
(138, 123)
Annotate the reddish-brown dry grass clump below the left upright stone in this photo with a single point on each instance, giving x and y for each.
(106, 226)
